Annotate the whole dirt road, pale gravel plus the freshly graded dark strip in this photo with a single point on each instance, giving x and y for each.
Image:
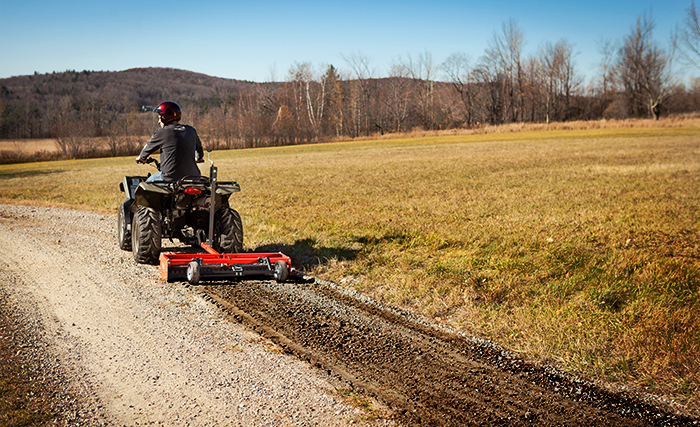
(143, 352)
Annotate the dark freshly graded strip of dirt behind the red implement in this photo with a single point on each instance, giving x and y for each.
(427, 374)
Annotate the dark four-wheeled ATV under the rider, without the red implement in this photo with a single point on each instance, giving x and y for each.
(178, 210)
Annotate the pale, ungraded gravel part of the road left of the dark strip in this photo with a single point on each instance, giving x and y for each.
(138, 351)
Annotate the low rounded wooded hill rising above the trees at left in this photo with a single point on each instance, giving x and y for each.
(119, 90)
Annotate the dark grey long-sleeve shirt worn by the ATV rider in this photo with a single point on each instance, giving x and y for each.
(180, 149)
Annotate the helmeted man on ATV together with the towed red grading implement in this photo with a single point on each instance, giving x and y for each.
(179, 203)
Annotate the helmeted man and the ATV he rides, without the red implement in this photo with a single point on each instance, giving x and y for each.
(177, 202)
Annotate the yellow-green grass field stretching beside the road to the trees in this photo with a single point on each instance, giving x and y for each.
(574, 247)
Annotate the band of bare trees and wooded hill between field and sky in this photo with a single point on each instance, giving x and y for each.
(86, 112)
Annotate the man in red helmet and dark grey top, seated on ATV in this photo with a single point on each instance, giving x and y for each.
(180, 146)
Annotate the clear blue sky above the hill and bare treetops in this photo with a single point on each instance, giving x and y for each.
(260, 40)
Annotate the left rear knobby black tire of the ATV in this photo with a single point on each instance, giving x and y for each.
(146, 236)
